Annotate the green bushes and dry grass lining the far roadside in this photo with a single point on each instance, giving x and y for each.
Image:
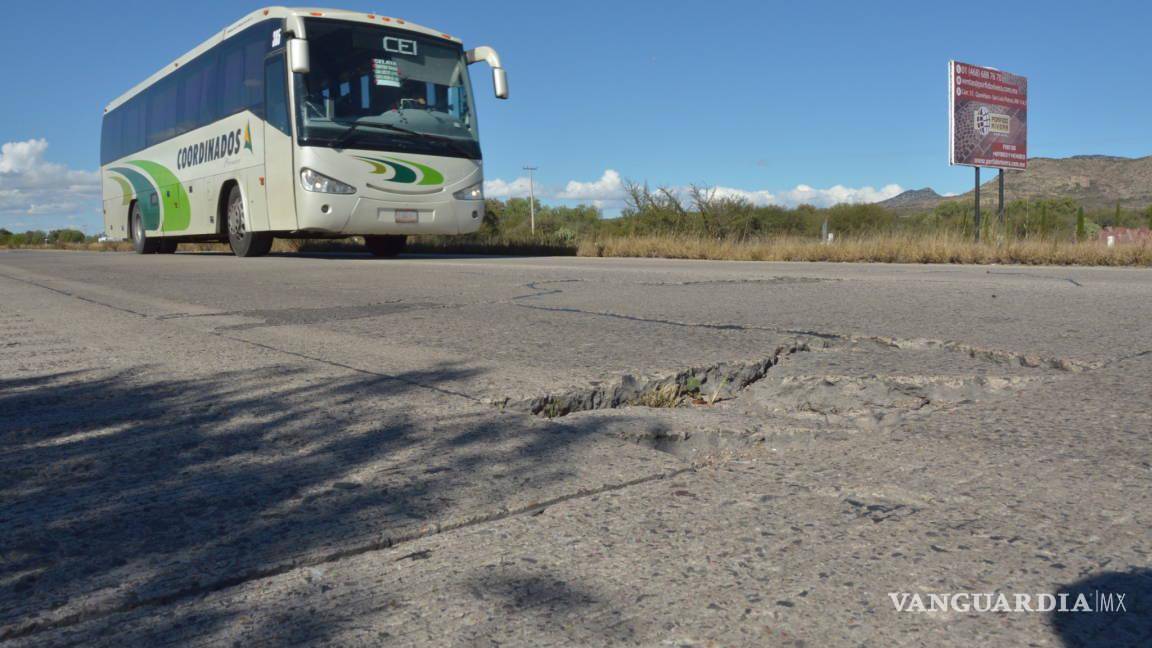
(703, 224)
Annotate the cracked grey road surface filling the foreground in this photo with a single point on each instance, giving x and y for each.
(203, 450)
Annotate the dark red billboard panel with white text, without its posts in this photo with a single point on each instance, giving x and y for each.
(988, 117)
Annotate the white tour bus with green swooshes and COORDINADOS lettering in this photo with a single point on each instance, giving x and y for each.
(300, 124)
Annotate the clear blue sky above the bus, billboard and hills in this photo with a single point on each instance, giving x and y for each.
(759, 97)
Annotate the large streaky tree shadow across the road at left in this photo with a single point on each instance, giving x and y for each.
(119, 492)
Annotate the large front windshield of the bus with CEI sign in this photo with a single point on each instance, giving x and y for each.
(389, 91)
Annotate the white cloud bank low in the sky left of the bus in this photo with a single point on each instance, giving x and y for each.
(33, 186)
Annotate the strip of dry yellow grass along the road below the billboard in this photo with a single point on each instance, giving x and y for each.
(891, 248)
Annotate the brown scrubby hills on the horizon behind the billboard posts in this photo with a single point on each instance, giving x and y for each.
(1095, 182)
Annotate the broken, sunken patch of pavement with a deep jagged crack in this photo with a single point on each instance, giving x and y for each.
(733, 411)
